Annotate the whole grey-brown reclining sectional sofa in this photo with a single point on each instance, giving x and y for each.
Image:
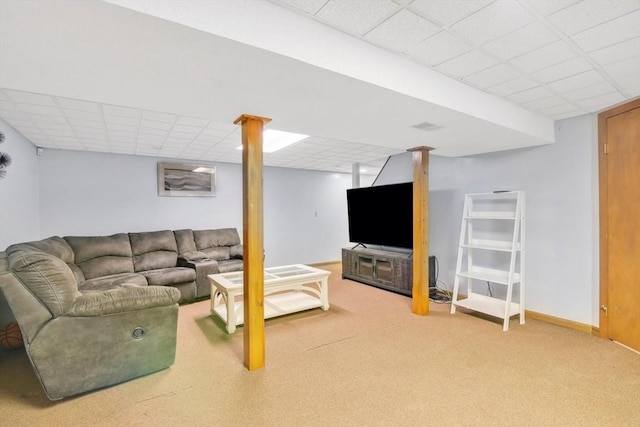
(97, 311)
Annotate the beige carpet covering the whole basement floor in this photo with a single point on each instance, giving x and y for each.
(368, 361)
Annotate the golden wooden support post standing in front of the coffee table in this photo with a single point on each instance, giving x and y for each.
(253, 240)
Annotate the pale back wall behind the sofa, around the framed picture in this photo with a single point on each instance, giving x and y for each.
(100, 194)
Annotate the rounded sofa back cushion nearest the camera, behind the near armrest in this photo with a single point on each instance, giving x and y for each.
(47, 277)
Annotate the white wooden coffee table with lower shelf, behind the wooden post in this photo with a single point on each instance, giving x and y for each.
(287, 289)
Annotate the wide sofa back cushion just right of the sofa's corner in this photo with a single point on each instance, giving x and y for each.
(100, 256)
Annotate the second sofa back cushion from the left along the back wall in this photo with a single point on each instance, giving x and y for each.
(153, 250)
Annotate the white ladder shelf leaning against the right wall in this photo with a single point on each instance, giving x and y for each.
(491, 250)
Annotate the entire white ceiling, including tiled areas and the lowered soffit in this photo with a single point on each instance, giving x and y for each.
(167, 79)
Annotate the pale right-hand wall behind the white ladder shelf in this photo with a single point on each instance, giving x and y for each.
(560, 182)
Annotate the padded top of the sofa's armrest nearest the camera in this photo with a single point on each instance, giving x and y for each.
(123, 300)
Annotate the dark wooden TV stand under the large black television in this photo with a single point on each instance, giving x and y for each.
(387, 270)
